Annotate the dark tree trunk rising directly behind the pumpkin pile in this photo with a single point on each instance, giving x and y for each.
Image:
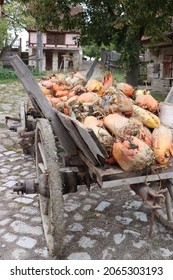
(132, 74)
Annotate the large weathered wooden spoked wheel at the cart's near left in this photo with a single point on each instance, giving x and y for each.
(50, 187)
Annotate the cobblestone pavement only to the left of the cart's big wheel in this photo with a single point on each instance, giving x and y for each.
(21, 234)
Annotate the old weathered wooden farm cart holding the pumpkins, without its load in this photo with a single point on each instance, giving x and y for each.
(81, 163)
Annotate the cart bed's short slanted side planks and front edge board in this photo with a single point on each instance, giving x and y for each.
(93, 154)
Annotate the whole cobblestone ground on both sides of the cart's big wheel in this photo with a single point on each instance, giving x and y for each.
(100, 224)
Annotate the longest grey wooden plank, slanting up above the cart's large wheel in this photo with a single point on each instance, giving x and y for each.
(42, 105)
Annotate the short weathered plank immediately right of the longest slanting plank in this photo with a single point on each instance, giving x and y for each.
(80, 143)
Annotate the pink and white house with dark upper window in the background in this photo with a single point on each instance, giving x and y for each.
(60, 50)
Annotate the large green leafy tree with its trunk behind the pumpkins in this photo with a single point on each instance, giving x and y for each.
(120, 22)
